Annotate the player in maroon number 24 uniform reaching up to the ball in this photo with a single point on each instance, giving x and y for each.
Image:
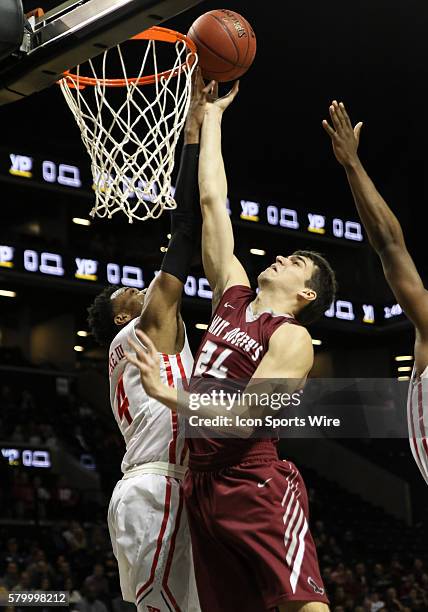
(248, 511)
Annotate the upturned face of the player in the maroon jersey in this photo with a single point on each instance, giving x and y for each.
(292, 272)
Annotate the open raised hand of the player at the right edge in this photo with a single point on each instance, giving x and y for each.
(344, 137)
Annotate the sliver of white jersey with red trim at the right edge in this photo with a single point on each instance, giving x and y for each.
(417, 418)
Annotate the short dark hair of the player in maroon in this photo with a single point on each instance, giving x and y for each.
(323, 282)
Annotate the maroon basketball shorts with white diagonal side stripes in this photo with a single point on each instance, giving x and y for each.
(251, 542)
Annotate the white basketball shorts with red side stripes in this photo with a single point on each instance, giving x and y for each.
(151, 541)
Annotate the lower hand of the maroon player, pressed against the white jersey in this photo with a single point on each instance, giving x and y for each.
(147, 361)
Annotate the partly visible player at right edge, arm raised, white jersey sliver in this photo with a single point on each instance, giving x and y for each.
(386, 237)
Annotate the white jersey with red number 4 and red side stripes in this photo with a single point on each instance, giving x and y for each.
(151, 431)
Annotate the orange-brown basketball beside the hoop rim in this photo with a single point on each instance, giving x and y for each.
(226, 44)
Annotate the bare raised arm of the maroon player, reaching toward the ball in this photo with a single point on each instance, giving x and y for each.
(221, 267)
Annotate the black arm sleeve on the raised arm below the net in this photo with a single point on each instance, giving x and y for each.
(186, 219)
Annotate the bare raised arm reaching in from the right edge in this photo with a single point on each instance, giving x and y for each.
(383, 229)
